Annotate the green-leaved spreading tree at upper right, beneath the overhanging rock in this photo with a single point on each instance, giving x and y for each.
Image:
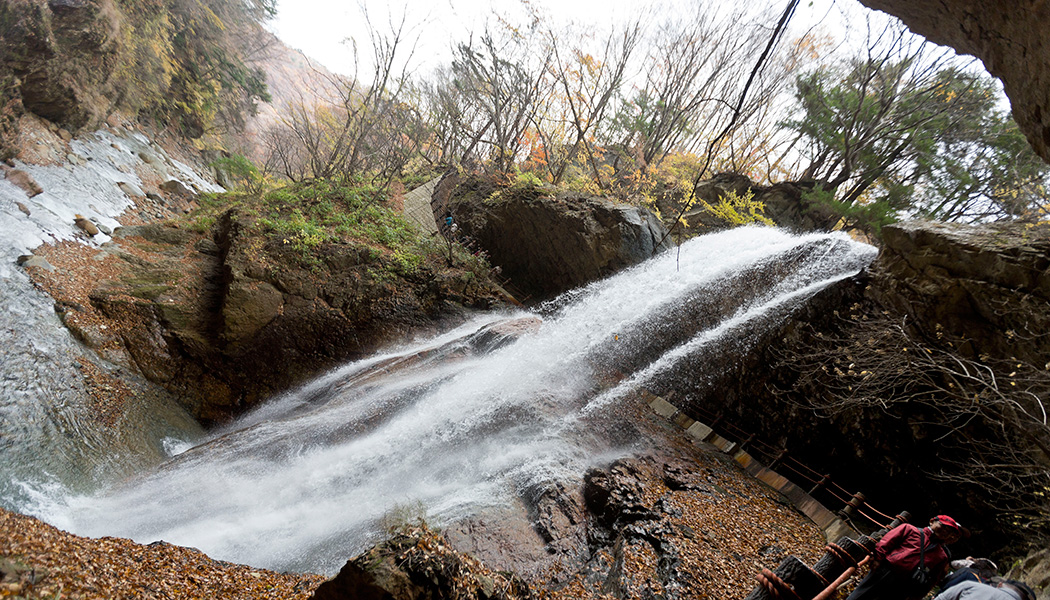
(906, 131)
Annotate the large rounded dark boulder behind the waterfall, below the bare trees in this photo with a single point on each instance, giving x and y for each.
(549, 243)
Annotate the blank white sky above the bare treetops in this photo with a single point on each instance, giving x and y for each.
(319, 28)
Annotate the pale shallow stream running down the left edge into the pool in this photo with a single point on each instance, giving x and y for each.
(49, 433)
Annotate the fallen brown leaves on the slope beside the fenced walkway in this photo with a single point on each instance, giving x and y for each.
(724, 528)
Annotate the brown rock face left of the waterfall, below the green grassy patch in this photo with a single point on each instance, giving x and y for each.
(211, 317)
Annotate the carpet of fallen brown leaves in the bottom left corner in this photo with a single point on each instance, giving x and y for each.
(41, 562)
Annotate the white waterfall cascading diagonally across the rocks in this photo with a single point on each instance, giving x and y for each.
(302, 483)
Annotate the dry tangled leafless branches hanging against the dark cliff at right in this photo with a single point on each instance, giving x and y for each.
(990, 416)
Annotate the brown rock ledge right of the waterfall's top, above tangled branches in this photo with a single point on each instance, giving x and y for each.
(989, 286)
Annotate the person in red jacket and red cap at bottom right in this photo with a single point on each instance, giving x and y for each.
(905, 551)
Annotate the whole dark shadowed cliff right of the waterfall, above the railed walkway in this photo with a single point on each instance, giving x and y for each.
(927, 376)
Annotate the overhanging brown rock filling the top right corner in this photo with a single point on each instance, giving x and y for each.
(1010, 42)
